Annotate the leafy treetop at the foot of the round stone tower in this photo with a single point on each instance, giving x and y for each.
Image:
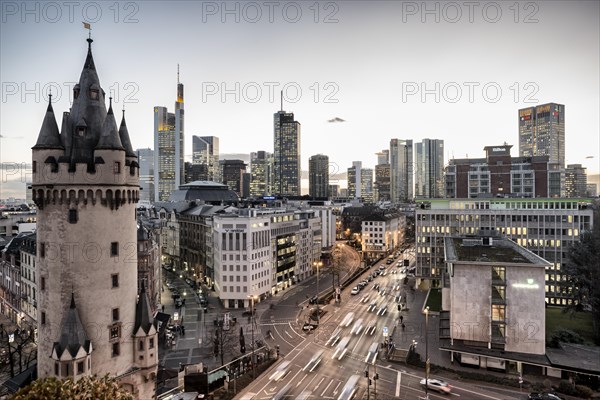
(104, 388)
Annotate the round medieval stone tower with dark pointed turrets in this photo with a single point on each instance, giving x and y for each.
(86, 186)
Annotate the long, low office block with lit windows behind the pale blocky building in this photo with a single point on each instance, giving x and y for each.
(545, 226)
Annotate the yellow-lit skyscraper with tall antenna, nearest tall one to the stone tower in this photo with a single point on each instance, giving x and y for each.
(169, 168)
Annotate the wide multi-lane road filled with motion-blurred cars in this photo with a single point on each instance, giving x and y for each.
(337, 364)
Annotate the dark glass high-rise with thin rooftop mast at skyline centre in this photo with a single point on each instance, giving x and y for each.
(286, 155)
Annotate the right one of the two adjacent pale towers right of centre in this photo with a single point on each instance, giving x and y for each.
(429, 173)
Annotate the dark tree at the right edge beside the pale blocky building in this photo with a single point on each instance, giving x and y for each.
(583, 274)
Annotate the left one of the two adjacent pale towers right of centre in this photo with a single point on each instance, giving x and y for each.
(401, 170)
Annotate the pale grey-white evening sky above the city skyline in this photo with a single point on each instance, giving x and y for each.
(457, 71)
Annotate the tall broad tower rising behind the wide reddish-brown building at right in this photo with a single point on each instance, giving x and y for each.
(542, 132)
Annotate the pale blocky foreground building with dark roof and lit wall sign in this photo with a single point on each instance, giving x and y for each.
(494, 307)
